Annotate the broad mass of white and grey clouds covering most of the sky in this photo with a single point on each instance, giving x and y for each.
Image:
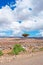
(9, 18)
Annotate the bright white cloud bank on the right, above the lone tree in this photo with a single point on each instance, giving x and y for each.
(31, 25)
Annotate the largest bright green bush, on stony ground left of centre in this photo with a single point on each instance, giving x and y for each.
(17, 49)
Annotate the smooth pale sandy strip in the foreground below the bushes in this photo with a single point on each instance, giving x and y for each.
(32, 59)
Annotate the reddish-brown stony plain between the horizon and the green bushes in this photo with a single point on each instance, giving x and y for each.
(7, 43)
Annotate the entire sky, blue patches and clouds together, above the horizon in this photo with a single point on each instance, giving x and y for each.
(21, 16)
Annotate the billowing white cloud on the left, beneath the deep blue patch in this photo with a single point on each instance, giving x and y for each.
(7, 20)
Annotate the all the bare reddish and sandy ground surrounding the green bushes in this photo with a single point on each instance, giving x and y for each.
(22, 59)
